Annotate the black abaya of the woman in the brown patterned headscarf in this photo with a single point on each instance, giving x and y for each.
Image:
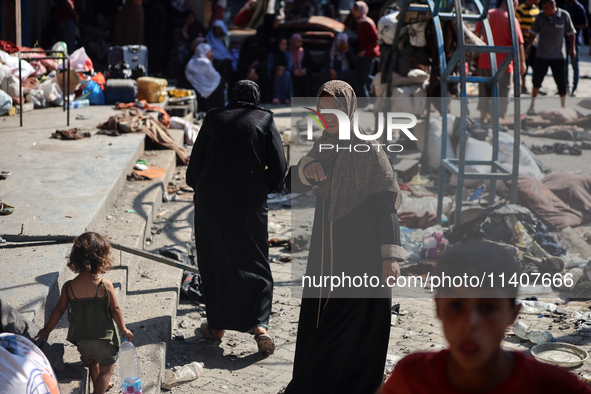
(343, 337)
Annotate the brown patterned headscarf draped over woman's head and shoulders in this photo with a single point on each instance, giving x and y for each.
(355, 175)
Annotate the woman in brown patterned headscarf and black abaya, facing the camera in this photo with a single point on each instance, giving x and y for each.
(343, 332)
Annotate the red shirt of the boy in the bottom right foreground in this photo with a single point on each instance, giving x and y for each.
(424, 373)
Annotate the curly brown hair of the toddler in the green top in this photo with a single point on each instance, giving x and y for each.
(90, 253)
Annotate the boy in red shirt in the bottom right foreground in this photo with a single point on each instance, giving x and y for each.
(474, 322)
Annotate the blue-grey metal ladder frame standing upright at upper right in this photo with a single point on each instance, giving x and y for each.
(442, 11)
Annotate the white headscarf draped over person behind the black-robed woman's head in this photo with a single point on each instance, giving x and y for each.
(200, 72)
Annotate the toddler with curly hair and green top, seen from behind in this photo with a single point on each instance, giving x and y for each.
(93, 309)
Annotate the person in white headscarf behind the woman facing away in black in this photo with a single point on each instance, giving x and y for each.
(204, 78)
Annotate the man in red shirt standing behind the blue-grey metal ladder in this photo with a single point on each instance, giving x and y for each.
(499, 25)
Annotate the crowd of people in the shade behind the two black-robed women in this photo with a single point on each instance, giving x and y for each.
(281, 64)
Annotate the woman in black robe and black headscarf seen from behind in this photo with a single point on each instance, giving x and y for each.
(238, 148)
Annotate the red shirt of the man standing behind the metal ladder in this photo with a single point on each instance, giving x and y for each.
(499, 26)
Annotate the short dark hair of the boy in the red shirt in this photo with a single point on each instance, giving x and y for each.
(492, 263)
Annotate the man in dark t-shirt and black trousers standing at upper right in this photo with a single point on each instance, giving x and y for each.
(552, 25)
